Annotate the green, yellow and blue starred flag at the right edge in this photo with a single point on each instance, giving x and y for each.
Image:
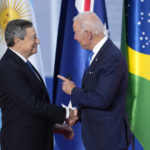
(137, 52)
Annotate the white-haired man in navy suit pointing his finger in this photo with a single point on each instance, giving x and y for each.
(102, 98)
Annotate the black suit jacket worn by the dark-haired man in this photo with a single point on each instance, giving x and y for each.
(27, 115)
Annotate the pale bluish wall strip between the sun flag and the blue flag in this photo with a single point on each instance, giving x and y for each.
(47, 17)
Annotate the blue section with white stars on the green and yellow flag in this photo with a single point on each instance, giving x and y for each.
(138, 12)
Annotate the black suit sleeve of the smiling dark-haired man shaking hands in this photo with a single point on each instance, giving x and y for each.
(18, 89)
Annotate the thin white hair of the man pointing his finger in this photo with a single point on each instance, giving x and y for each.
(90, 21)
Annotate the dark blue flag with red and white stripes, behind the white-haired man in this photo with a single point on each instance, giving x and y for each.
(71, 60)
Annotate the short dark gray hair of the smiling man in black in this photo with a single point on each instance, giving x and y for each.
(16, 28)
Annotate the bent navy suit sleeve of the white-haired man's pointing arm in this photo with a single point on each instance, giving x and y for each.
(103, 90)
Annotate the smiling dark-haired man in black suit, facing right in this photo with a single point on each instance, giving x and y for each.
(28, 118)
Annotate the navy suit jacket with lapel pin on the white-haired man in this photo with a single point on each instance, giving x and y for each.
(102, 100)
